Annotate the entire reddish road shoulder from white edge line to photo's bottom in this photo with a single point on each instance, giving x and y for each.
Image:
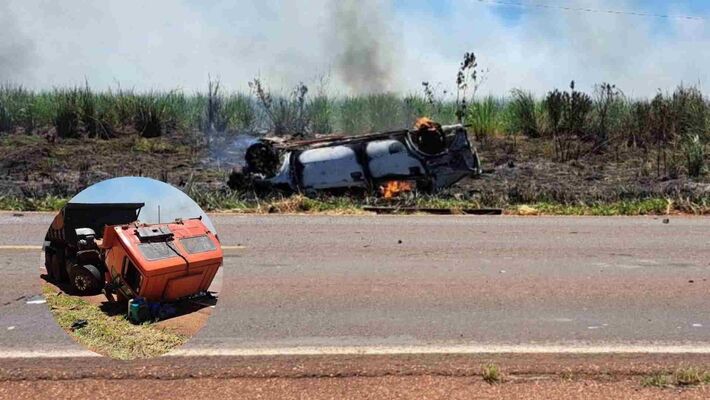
(367, 377)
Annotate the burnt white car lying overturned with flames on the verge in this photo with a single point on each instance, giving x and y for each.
(429, 157)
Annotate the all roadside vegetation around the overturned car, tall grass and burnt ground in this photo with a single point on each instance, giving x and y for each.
(564, 152)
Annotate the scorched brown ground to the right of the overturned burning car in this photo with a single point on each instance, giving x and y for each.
(524, 173)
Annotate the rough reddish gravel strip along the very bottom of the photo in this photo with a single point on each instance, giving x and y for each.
(424, 387)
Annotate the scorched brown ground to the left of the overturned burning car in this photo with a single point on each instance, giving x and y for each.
(34, 167)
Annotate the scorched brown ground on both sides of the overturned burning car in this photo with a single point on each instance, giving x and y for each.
(36, 166)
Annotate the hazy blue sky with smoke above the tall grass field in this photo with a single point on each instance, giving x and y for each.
(353, 46)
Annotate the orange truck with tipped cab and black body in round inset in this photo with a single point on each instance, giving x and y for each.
(102, 247)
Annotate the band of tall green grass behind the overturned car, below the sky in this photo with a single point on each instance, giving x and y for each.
(672, 128)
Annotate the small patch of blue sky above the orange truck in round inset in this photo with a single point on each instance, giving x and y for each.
(173, 202)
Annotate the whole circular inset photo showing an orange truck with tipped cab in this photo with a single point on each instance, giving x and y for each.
(133, 267)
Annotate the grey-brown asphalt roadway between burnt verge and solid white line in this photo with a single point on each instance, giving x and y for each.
(462, 283)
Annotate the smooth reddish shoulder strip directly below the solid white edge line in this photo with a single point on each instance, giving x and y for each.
(592, 366)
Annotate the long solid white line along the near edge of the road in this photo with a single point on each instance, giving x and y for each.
(388, 350)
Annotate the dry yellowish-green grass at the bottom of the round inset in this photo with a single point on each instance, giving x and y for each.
(113, 336)
